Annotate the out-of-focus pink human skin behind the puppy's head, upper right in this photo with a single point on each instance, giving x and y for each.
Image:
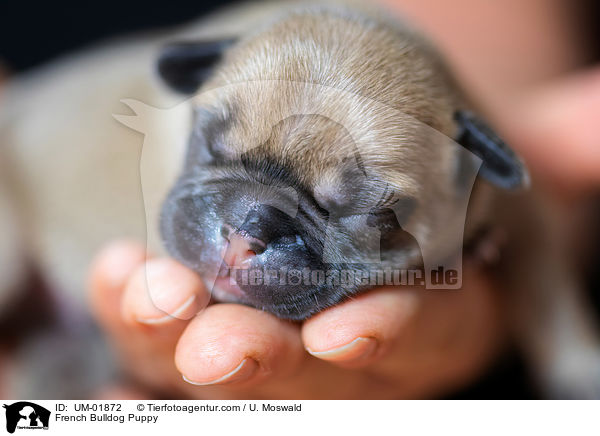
(521, 63)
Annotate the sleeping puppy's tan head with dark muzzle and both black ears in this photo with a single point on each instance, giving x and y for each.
(320, 152)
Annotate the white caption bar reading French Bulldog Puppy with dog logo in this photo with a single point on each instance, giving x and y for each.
(300, 417)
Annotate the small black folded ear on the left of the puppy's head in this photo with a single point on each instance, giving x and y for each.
(185, 65)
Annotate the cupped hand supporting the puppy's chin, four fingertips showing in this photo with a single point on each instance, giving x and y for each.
(386, 343)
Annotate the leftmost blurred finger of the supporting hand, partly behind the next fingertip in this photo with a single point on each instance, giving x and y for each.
(109, 274)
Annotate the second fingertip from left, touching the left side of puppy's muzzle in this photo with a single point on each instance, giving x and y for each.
(161, 292)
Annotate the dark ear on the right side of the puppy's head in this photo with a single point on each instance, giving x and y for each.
(500, 166)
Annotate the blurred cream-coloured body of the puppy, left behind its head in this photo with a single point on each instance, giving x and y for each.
(73, 168)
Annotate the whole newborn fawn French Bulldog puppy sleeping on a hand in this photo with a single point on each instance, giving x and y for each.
(327, 140)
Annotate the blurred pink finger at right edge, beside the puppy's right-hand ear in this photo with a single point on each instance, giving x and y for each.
(556, 130)
